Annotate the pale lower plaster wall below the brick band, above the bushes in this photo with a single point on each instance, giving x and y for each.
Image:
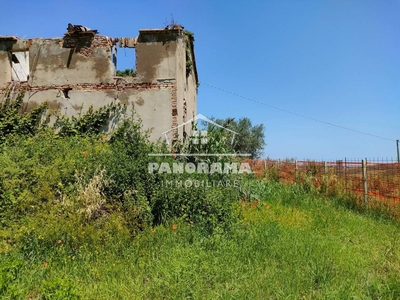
(151, 103)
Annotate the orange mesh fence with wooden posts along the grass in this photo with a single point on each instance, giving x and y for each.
(373, 183)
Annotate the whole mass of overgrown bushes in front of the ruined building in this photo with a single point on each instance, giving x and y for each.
(67, 187)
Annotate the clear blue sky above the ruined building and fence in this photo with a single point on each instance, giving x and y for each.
(336, 61)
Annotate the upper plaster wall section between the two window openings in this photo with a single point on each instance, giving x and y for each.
(86, 59)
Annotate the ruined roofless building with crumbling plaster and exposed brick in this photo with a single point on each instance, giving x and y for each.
(78, 70)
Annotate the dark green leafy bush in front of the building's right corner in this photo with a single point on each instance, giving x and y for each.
(166, 195)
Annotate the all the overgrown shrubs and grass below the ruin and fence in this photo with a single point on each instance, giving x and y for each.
(82, 217)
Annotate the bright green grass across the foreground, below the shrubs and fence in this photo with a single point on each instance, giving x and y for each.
(288, 245)
